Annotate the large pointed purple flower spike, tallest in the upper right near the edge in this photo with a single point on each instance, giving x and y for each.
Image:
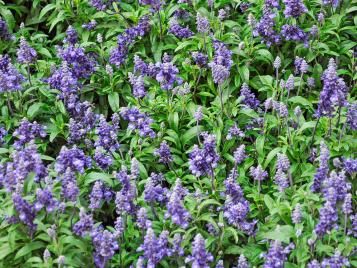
(334, 91)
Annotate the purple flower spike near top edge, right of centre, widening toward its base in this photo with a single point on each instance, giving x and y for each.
(265, 28)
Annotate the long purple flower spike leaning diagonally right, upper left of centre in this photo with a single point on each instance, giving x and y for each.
(119, 54)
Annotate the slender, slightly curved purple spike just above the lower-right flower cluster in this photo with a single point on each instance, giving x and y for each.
(323, 169)
